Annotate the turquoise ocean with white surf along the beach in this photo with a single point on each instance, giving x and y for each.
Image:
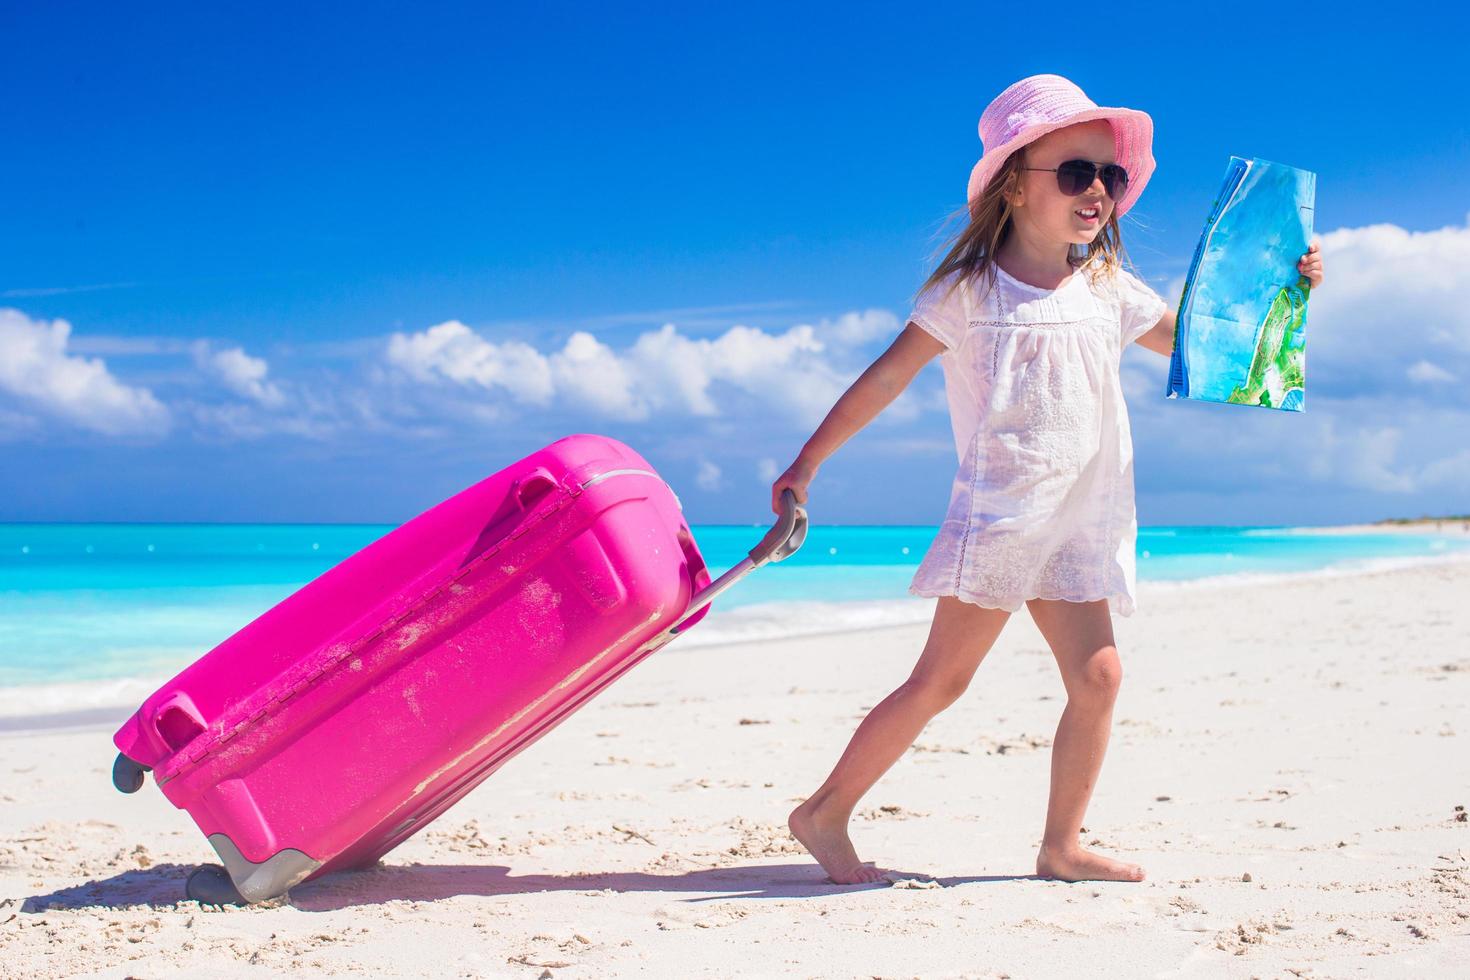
(101, 613)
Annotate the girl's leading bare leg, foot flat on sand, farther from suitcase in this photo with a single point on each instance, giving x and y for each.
(1081, 638)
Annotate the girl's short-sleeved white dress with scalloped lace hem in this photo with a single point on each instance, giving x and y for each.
(1043, 502)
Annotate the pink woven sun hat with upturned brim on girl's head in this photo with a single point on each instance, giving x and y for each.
(1037, 105)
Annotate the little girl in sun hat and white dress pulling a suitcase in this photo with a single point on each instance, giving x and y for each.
(1030, 314)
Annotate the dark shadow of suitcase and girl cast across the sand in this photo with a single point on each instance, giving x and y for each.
(162, 887)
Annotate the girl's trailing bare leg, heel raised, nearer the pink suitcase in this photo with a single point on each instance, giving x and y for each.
(959, 638)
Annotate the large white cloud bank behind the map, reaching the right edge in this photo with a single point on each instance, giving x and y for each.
(1385, 334)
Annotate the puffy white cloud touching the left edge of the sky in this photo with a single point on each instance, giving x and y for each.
(37, 368)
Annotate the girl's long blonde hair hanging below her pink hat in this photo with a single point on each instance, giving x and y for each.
(972, 253)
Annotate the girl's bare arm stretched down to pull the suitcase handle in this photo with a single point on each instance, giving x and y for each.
(884, 381)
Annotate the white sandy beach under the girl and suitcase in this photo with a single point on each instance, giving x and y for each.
(1287, 763)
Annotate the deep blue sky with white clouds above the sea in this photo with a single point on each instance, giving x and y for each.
(337, 262)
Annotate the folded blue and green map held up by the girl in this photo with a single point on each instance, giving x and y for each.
(1243, 318)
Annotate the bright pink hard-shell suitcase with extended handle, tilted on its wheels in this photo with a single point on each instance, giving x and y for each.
(359, 709)
